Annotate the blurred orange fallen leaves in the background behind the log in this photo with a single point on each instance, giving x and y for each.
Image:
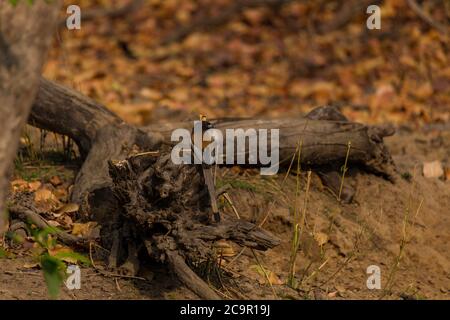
(172, 59)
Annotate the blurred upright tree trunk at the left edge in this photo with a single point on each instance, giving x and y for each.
(25, 35)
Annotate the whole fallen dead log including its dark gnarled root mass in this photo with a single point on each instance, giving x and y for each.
(146, 202)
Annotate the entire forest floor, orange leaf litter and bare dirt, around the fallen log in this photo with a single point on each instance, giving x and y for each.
(264, 63)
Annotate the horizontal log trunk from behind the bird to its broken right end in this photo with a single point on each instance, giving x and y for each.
(323, 141)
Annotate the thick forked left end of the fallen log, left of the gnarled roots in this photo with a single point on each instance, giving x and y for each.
(92, 126)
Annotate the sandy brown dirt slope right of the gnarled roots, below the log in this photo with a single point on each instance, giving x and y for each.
(341, 241)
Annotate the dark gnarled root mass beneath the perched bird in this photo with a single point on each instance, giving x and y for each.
(166, 205)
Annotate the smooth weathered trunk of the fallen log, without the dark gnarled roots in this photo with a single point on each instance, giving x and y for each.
(101, 135)
